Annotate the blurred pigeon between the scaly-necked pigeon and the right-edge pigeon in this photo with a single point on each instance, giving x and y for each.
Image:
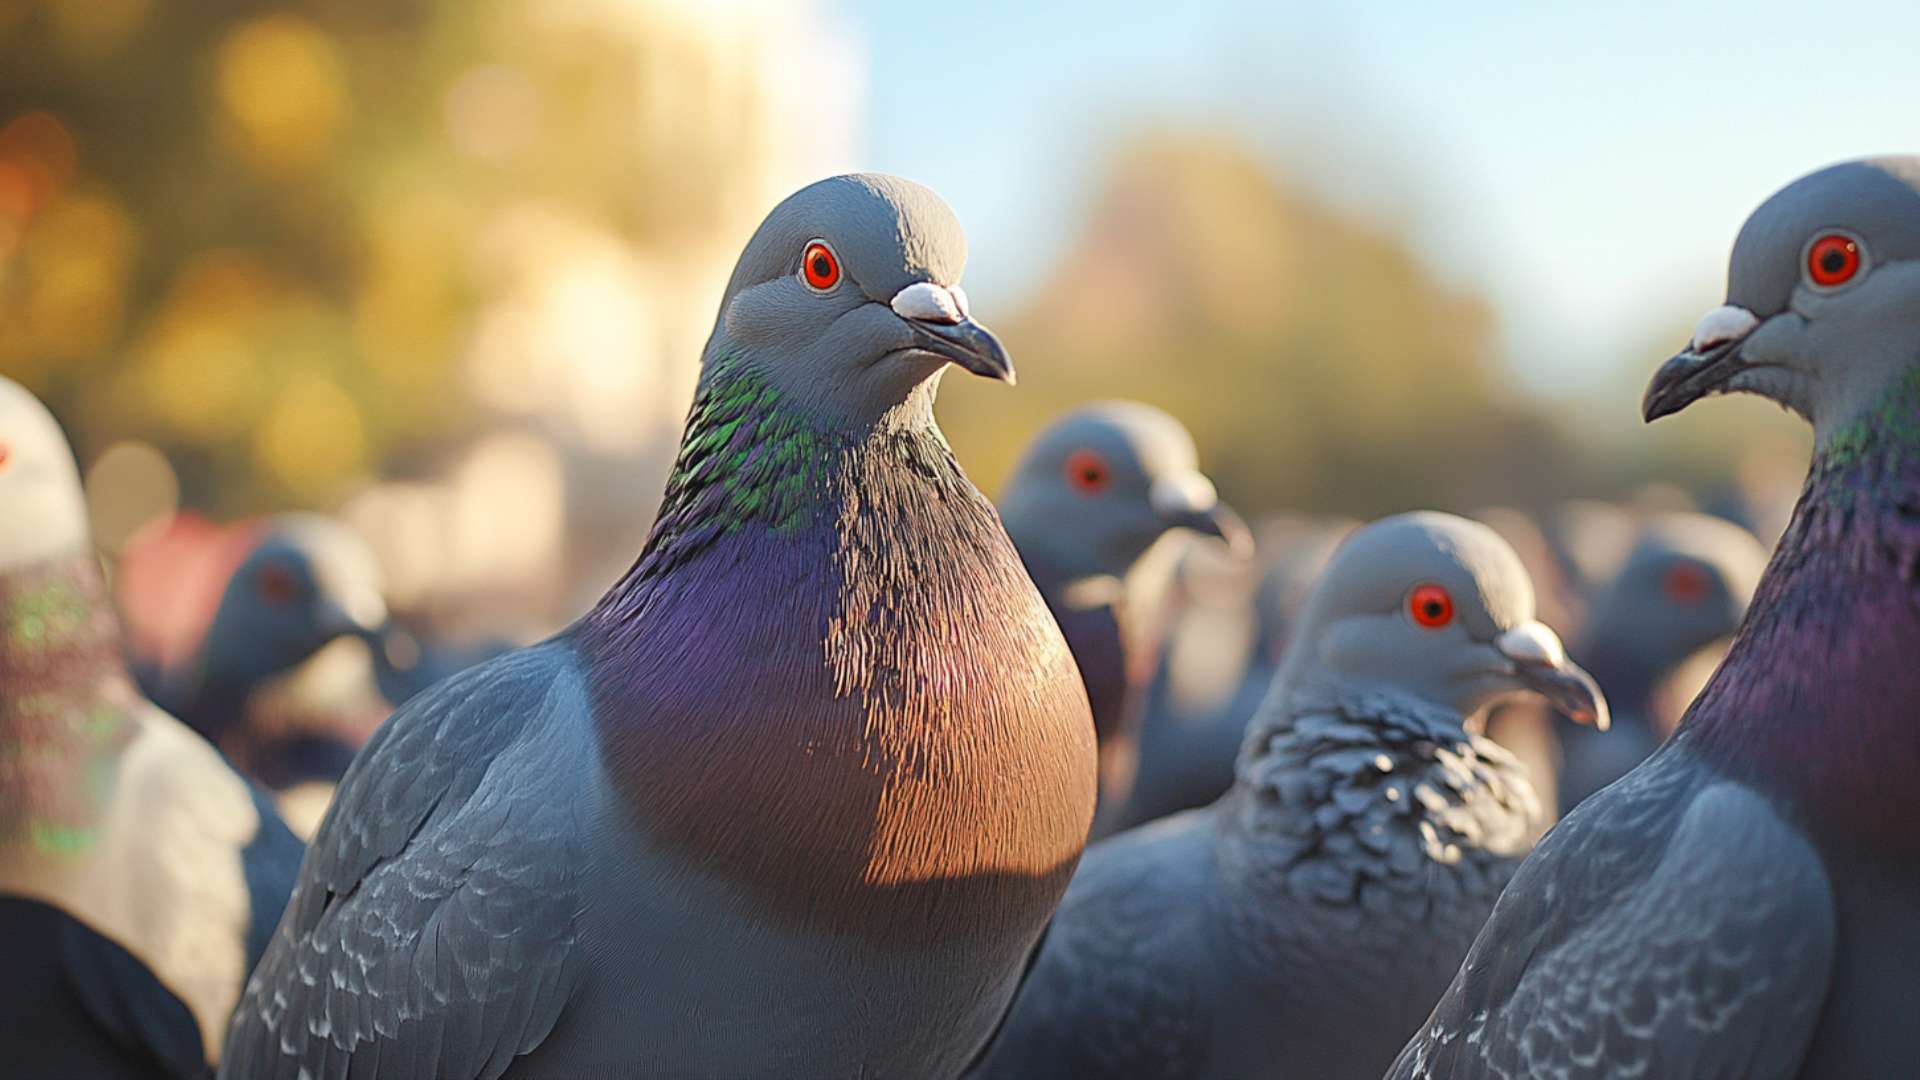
(1683, 589)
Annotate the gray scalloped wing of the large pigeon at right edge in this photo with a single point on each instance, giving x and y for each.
(1671, 927)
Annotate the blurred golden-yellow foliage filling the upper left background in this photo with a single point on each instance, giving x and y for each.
(262, 233)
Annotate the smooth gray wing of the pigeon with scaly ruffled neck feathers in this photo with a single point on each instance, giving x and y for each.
(1113, 994)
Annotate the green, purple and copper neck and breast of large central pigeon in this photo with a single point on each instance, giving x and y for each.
(828, 674)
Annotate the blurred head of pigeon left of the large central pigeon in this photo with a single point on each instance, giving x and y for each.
(306, 583)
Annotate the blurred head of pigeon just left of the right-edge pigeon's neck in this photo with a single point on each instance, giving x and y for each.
(1685, 585)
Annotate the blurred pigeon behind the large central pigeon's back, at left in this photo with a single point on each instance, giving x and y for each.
(304, 583)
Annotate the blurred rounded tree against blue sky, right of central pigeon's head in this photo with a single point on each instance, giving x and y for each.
(1314, 356)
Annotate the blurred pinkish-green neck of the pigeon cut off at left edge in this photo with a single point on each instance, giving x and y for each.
(64, 702)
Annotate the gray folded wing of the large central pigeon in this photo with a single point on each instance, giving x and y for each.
(433, 927)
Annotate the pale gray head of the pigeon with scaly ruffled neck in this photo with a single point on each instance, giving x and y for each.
(1441, 608)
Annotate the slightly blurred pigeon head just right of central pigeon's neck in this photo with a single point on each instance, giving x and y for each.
(1105, 481)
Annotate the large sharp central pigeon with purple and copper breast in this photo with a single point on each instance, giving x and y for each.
(796, 798)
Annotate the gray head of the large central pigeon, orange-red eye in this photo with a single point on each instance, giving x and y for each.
(850, 297)
